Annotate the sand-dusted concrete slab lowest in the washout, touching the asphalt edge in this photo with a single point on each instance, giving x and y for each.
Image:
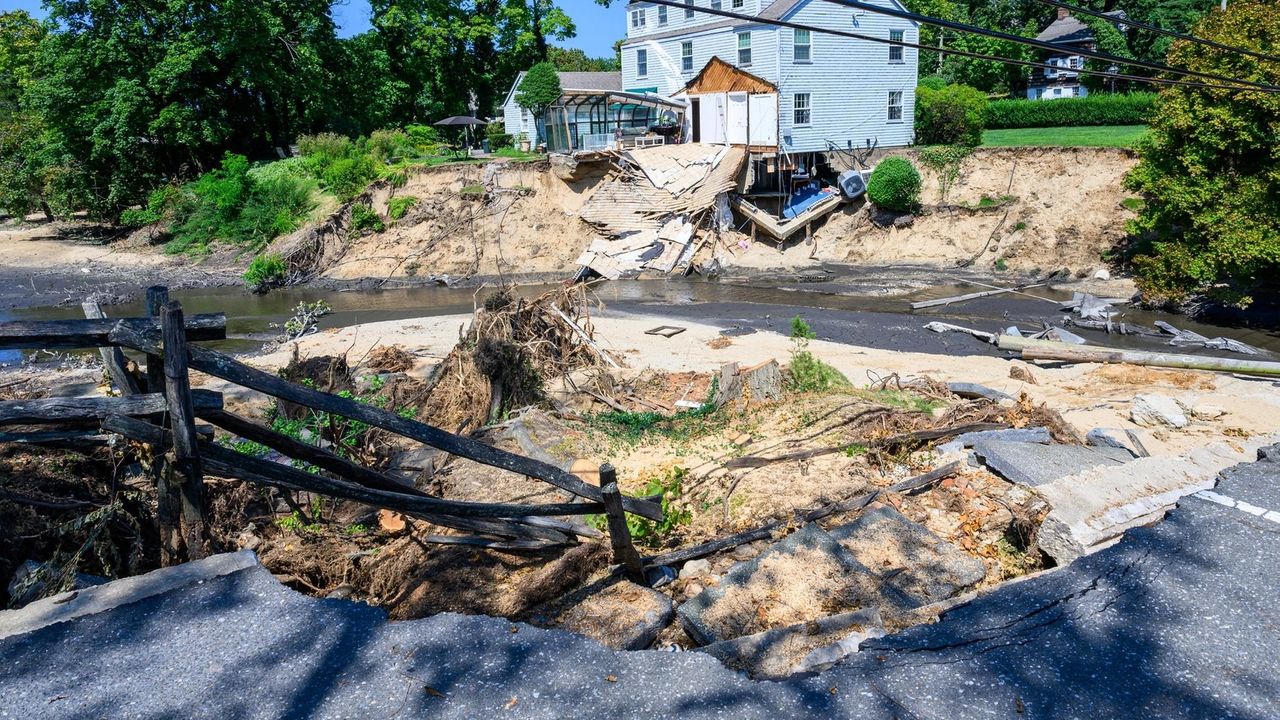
(804, 648)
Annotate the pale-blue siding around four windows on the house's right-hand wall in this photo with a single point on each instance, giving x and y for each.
(849, 81)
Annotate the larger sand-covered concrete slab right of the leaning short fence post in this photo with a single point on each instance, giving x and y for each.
(802, 578)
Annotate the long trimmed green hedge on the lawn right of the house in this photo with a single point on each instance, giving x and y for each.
(1101, 110)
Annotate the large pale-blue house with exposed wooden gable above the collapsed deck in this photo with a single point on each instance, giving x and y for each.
(833, 94)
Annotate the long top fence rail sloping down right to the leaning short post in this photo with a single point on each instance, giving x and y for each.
(230, 370)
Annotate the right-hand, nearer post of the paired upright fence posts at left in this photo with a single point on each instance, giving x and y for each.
(182, 422)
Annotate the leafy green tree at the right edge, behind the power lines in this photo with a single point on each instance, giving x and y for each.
(1210, 168)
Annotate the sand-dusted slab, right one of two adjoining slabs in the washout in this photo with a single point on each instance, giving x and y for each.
(921, 564)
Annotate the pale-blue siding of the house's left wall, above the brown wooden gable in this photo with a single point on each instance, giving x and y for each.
(665, 63)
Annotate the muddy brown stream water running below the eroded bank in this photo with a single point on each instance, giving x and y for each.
(845, 313)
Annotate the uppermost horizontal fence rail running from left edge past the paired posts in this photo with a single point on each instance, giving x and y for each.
(20, 335)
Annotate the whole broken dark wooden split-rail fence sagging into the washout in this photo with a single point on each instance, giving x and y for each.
(159, 409)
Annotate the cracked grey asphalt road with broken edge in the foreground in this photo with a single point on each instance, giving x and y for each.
(1177, 621)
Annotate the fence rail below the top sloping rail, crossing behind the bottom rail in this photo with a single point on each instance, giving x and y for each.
(359, 475)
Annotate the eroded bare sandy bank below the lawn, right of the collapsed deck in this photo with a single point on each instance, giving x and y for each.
(1023, 209)
